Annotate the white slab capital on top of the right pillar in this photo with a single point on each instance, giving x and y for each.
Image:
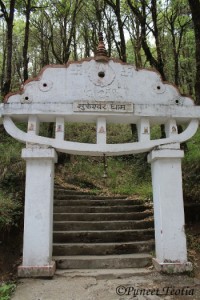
(165, 153)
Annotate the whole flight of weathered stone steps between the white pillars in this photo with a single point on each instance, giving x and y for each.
(95, 232)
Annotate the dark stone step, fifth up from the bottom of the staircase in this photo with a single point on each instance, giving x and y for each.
(101, 216)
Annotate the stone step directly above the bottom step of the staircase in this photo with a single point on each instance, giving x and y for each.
(103, 248)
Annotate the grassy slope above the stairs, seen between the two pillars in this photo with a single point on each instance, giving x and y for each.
(127, 175)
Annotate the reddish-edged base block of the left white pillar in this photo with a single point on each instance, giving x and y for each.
(37, 271)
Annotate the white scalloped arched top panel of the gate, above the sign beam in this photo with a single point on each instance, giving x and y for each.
(80, 81)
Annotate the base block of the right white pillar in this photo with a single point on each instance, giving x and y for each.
(173, 267)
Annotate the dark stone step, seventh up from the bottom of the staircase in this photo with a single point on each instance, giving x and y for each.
(92, 202)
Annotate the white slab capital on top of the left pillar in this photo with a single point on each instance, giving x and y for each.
(39, 153)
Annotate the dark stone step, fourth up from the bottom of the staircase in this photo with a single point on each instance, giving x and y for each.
(102, 225)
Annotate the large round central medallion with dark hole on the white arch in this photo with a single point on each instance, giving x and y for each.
(101, 74)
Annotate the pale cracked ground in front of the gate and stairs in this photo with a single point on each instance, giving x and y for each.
(104, 285)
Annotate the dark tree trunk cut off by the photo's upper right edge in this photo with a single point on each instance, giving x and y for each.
(195, 9)
